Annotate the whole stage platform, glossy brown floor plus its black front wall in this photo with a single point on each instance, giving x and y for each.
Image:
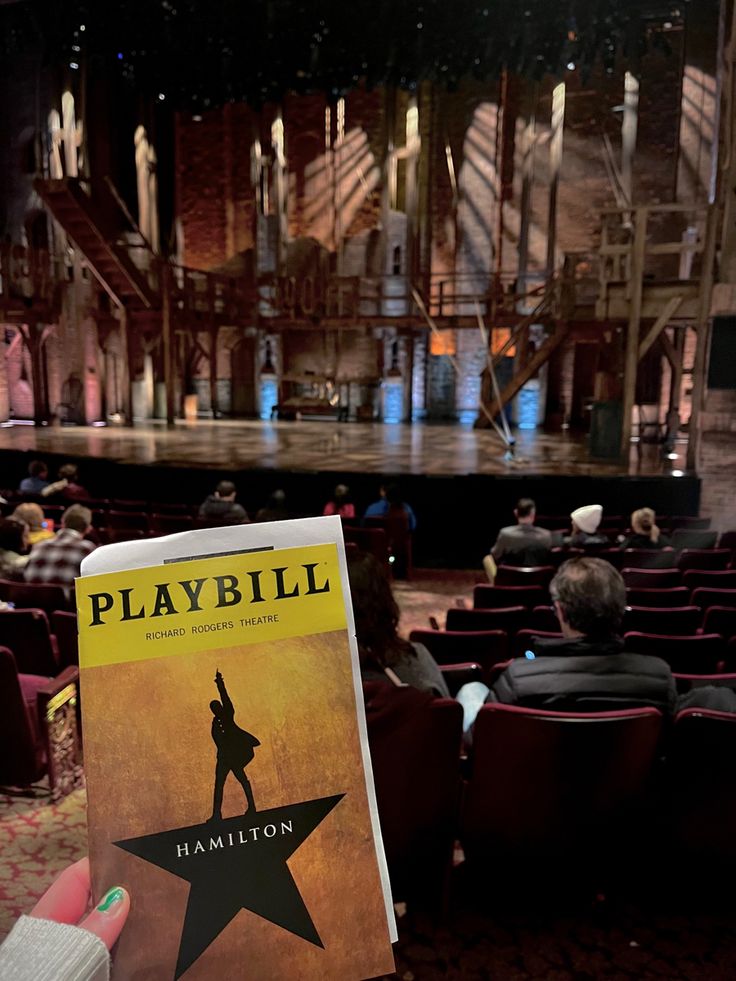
(456, 478)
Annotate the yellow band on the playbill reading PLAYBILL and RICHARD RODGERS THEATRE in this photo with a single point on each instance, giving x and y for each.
(204, 604)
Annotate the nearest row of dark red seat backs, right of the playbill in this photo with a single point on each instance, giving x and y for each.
(540, 781)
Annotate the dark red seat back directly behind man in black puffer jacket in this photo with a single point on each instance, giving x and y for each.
(549, 784)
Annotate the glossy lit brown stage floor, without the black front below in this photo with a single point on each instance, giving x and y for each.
(442, 450)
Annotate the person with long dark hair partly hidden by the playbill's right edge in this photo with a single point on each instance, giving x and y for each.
(384, 656)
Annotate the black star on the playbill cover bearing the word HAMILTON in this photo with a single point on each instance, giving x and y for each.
(248, 871)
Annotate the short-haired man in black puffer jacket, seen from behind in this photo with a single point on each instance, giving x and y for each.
(586, 669)
